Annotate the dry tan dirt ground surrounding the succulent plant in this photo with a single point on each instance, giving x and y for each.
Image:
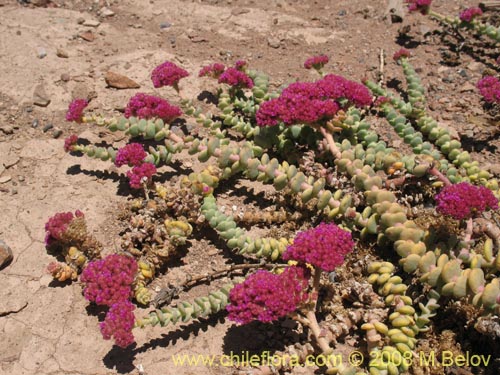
(46, 328)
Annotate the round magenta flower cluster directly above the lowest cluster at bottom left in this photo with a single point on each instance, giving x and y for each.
(109, 280)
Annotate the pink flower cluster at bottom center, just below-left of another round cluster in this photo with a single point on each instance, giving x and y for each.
(266, 297)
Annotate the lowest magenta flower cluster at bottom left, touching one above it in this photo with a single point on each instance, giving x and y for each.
(119, 323)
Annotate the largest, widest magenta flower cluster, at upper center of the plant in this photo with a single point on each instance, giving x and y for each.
(312, 102)
